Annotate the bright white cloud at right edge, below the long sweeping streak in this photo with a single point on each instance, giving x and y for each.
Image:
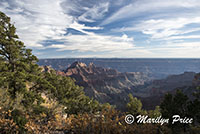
(163, 28)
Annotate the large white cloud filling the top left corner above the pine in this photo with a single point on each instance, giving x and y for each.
(38, 20)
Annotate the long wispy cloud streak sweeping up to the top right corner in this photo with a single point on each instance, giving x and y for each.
(152, 6)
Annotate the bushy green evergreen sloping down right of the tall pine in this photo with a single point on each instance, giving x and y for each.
(70, 95)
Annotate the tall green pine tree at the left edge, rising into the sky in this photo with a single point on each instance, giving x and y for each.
(19, 73)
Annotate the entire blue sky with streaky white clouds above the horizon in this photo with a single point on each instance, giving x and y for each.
(107, 28)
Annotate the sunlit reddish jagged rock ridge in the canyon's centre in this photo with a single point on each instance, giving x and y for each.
(105, 84)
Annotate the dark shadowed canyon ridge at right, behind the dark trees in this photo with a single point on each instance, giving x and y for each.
(151, 94)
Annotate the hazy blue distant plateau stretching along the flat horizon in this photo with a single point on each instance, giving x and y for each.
(157, 68)
